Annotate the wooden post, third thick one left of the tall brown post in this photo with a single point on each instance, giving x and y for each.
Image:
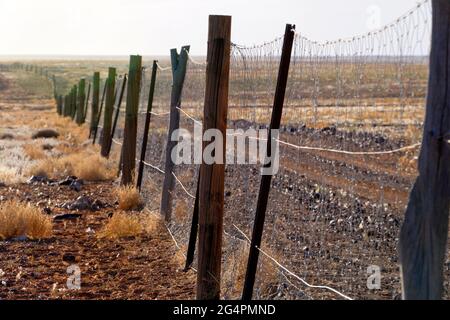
(107, 117)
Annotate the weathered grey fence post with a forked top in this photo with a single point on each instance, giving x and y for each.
(179, 62)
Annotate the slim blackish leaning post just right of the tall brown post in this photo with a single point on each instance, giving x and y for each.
(264, 190)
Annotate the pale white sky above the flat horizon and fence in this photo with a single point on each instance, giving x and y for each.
(152, 27)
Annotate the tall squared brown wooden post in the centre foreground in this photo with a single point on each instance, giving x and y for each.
(212, 178)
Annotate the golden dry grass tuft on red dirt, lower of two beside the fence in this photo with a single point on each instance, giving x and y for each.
(121, 225)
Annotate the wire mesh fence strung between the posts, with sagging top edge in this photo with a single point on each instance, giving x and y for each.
(351, 128)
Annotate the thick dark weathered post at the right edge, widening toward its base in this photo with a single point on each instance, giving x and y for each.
(424, 234)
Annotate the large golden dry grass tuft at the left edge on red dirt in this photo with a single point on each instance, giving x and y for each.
(18, 219)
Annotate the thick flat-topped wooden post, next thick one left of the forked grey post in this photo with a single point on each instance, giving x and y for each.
(131, 112)
